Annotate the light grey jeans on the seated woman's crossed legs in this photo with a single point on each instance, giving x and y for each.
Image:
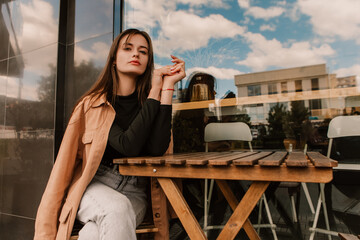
(112, 206)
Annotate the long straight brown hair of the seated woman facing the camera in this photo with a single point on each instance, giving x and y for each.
(107, 83)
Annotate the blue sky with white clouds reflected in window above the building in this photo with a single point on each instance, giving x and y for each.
(225, 38)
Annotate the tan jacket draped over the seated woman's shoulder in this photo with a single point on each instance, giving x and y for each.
(80, 154)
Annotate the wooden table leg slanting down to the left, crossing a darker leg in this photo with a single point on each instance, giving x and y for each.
(243, 210)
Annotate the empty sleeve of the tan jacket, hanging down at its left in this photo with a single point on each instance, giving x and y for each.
(47, 218)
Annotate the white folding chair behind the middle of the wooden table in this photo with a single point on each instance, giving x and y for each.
(237, 131)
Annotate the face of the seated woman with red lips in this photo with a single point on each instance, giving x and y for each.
(132, 56)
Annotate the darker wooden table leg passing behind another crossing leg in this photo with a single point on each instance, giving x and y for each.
(233, 202)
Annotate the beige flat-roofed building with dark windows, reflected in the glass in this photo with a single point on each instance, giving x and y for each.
(323, 93)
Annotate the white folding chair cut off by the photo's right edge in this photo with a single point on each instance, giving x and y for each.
(341, 126)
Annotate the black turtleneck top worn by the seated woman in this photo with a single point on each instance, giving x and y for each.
(138, 130)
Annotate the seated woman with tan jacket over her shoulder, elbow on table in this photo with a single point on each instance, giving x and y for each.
(127, 112)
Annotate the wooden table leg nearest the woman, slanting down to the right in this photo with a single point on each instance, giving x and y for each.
(188, 220)
